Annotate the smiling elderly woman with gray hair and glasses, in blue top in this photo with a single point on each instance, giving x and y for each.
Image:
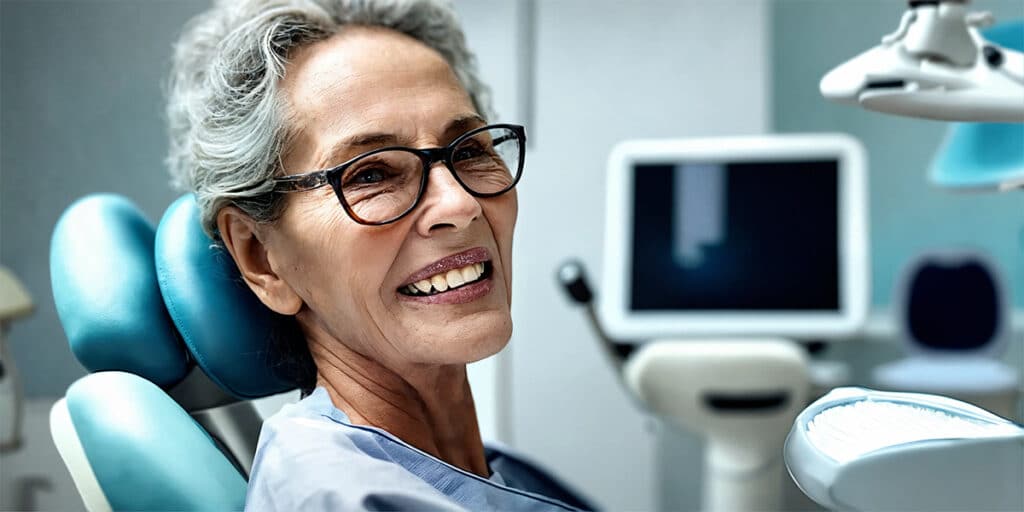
(342, 152)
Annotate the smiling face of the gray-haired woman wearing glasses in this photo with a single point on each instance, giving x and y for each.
(369, 89)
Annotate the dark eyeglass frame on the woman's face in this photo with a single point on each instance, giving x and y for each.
(430, 156)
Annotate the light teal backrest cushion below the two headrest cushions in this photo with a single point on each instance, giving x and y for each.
(147, 453)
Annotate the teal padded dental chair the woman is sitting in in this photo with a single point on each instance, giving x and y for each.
(177, 347)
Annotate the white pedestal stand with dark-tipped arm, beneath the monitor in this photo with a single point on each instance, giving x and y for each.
(742, 396)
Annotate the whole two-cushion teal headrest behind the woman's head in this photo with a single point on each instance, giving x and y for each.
(152, 302)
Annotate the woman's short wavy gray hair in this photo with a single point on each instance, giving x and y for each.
(228, 122)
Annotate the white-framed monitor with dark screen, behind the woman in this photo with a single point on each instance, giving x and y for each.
(760, 236)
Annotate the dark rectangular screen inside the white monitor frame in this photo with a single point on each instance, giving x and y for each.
(756, 237)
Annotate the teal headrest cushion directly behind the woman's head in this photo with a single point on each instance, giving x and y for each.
(223, 323)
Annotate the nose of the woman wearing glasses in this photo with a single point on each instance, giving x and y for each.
(446, 203)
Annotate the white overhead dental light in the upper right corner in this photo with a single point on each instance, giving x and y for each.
(935, 66)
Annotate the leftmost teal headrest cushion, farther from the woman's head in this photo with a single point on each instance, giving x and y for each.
(106, 291)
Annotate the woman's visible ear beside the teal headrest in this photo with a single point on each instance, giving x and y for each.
(242, 238)
